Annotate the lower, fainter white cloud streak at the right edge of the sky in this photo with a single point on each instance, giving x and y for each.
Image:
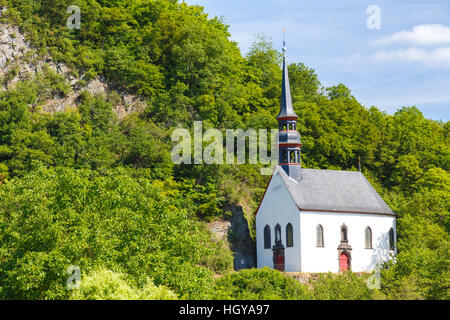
(439, 57)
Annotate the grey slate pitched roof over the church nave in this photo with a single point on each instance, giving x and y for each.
(334, 191)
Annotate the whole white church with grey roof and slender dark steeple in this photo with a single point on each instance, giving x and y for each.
(313, 220)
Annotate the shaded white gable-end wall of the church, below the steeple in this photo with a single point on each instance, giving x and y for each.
(278, 207)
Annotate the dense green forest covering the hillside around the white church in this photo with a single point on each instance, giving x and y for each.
(85, 187)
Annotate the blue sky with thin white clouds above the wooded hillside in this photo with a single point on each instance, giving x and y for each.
(405, 62)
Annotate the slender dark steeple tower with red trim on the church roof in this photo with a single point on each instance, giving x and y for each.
(289, 139)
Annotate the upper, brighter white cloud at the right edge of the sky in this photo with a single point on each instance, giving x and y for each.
(425, 34)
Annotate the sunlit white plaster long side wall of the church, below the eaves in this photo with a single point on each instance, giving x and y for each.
(316, 259)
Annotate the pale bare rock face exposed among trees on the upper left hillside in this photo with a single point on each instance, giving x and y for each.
(19, 60)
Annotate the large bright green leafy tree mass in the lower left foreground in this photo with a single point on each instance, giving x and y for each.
(53, 218)
